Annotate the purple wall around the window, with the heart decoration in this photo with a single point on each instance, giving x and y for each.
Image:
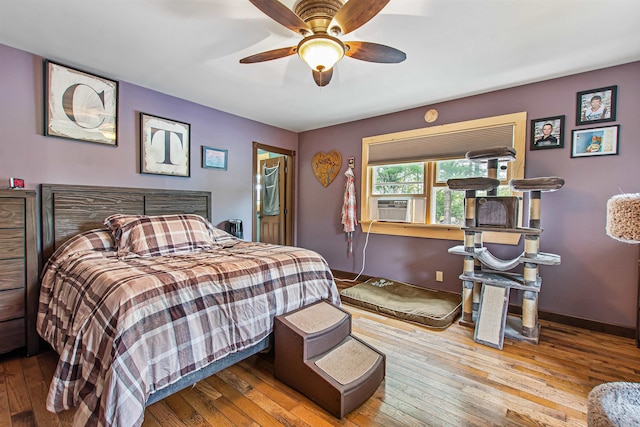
(598, 277)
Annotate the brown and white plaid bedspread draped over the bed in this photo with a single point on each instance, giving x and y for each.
(126, 327)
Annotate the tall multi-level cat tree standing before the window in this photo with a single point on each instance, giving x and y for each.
(486, 279)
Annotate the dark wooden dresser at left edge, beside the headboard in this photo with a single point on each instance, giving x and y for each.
(18, 271)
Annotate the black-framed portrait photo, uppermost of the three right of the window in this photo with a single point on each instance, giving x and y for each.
(596, 105)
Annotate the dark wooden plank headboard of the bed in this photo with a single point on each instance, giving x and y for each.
(70, 209)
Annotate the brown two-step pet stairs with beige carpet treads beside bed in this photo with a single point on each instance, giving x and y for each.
(316, 354)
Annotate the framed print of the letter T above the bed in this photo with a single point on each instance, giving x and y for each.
(164, 146)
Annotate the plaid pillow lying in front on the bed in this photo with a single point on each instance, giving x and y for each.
(159, 235)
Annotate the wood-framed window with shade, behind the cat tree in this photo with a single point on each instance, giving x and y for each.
(415, 165)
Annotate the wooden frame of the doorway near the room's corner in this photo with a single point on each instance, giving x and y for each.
(289, 190)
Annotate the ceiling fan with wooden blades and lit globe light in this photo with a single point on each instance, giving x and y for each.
(320, 23)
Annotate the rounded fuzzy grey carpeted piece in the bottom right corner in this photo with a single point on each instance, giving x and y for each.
(615, 404)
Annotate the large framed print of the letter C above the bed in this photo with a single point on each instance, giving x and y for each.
(79, 105)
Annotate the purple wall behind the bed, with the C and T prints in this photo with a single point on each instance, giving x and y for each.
(26, 153)
